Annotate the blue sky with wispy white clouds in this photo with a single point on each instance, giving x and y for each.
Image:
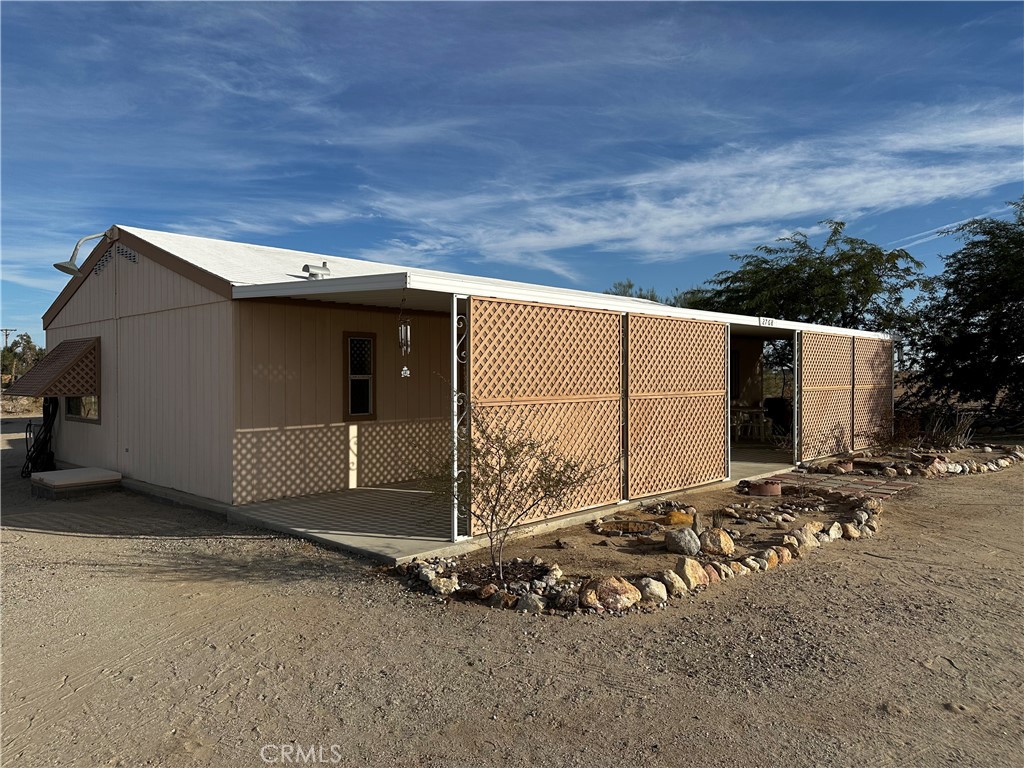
(571, 145)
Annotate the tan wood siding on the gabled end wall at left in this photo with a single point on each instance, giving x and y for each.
(167, 376)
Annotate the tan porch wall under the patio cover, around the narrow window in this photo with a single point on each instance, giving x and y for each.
(290, 435)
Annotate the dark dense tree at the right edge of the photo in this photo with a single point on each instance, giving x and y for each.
(969, 344)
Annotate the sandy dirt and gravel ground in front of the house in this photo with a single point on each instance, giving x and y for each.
(137, 633)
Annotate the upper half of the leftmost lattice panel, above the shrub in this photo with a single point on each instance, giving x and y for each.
(522, 352)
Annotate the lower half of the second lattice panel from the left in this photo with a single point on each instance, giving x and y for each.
(675, 443)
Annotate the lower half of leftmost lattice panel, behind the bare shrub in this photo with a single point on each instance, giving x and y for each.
(588, 432)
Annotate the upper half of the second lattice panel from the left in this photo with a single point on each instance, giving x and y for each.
(670, 356)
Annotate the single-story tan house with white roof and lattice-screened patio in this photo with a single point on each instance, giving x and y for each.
(242, 373)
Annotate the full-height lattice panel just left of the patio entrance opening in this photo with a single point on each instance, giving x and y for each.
(677, 404)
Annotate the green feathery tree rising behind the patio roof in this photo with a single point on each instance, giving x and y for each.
(845, 282)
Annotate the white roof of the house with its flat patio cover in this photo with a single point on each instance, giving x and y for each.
(263, 272)
